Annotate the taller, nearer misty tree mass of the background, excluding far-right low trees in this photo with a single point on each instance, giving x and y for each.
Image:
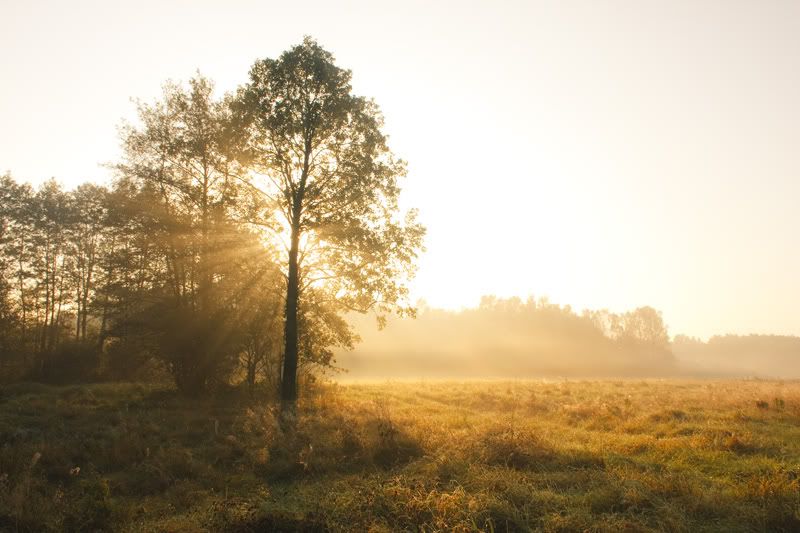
(512, 338)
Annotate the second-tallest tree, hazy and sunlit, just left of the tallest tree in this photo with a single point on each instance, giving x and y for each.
(178, 157)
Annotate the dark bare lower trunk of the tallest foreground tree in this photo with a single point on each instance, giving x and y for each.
(289, 377)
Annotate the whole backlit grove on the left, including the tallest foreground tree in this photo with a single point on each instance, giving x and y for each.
(237, 232)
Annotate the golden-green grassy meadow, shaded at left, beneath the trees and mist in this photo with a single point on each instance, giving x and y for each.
(490, 456)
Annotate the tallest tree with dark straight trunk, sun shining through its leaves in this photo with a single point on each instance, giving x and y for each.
(323, 164)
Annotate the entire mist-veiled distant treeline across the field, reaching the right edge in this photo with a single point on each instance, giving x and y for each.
(512, 338)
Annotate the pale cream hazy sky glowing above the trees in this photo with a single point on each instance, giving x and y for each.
(606, 154)
